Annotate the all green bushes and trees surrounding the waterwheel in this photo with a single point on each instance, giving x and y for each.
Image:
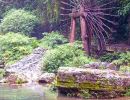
(20, 19)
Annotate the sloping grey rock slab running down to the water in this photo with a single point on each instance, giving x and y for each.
(30, 66)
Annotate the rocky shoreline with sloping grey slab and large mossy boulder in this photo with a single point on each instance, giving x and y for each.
(100, 78)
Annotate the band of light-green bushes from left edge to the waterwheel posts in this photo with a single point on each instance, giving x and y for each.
(15, 46)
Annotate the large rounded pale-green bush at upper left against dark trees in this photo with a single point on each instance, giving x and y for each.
(18, 21)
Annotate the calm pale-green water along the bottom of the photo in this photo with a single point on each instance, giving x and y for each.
(33, 92)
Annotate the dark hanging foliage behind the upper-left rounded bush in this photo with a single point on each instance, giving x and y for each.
(46, 10)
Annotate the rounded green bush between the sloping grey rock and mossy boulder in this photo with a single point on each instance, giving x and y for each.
(62, 56)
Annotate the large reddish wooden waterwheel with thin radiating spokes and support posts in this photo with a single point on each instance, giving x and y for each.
(96, 19)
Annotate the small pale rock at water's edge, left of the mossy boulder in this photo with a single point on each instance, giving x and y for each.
(46, 78)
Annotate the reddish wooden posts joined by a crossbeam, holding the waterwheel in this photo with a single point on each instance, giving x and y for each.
(86, 38)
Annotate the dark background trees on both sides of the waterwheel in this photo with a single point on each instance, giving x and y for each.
(48, 11)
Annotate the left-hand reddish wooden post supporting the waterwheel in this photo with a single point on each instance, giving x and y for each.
(73, 30)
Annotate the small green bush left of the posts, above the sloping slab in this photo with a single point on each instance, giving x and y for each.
(51, 40)
